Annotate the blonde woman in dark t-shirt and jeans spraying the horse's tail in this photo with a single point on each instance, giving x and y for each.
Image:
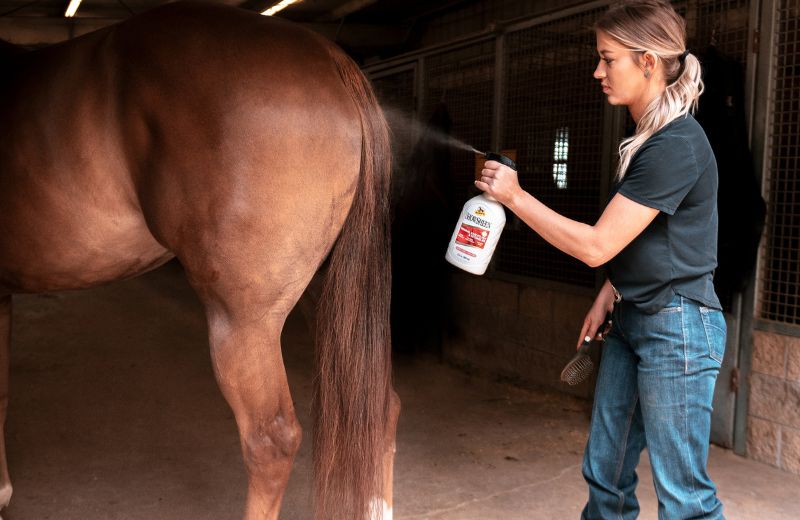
(657, 239)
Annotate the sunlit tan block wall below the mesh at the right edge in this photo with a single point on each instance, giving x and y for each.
(773, 429)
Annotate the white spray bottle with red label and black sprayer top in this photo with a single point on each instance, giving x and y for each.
(478, 229)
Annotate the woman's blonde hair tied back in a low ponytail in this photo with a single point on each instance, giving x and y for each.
(654, 26)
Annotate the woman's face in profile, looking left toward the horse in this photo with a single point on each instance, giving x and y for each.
(621, 73)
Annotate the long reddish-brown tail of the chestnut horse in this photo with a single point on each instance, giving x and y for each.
(353, 369)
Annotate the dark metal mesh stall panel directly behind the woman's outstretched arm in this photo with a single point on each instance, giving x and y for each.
(553, 116)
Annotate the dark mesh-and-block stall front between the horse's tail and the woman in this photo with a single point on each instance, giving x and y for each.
(527, 91)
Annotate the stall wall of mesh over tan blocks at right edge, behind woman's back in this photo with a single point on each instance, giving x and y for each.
(772, 375)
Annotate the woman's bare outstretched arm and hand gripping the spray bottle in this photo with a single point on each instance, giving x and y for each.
(621, 221)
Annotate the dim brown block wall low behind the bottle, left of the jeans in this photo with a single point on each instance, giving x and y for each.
(514, 331)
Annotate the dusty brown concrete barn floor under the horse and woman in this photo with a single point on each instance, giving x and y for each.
(115, 414)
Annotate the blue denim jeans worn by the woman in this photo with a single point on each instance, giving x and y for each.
(654, 390)
